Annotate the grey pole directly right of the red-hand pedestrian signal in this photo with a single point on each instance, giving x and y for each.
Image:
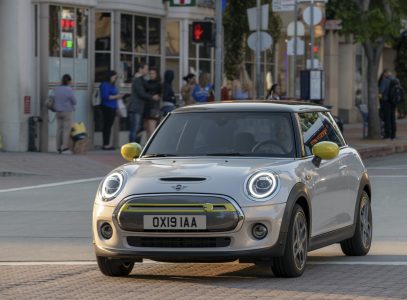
(218, 51)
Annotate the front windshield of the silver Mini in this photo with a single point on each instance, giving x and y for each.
(224, 134)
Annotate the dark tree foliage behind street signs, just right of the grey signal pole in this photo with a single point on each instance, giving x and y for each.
(236, 30)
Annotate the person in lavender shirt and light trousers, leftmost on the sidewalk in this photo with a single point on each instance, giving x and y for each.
(64, 105)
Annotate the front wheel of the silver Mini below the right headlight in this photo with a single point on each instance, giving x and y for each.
(292, 263)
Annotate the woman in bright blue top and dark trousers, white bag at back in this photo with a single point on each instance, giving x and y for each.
(109, 94)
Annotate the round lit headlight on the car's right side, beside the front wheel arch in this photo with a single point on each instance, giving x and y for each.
(262, 185)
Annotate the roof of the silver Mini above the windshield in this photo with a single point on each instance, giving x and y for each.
(253, 106)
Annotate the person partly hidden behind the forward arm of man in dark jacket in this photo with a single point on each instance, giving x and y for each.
(152, 108)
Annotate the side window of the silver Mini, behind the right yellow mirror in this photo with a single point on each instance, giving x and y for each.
(317, 127)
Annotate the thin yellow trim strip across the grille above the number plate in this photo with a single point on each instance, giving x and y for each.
(190, 208)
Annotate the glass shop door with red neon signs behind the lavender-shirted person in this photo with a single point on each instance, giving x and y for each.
(69, 54)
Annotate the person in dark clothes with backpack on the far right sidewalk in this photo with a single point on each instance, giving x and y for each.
(391, 94)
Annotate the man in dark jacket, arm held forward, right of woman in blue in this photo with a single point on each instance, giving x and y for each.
(139, 98)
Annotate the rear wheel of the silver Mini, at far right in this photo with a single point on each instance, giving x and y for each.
(360, 243)
